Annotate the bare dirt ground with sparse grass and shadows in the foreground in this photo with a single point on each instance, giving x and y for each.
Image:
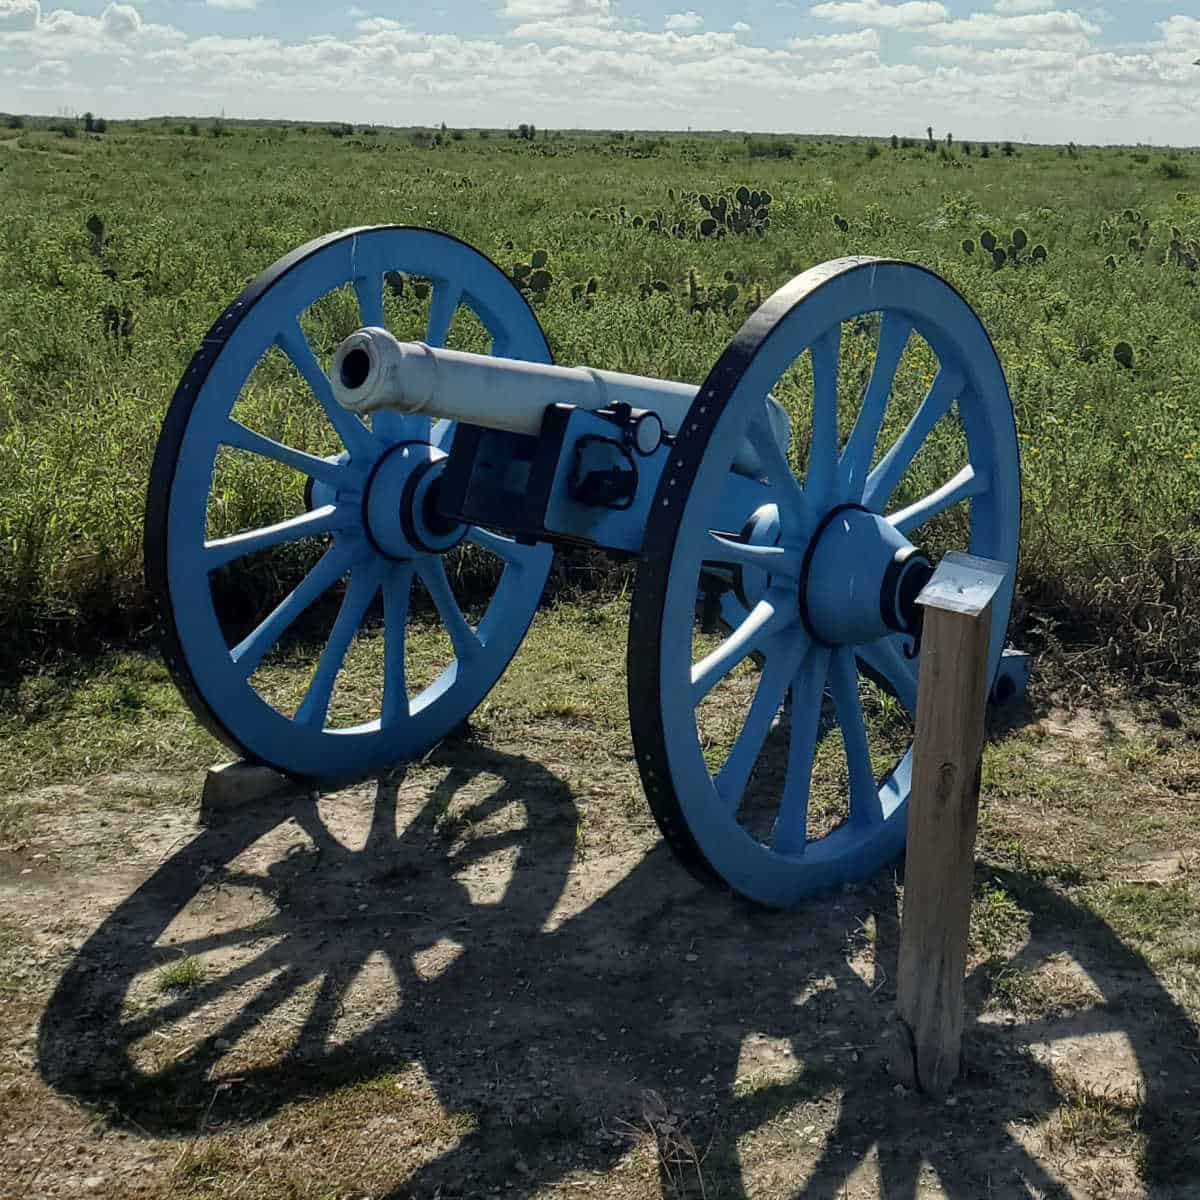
(488, 977)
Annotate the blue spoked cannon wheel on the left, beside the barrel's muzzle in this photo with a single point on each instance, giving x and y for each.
(367, 508)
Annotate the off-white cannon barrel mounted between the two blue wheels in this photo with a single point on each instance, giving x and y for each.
(374, 371)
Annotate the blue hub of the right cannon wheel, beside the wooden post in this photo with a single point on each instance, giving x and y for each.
(861, 580)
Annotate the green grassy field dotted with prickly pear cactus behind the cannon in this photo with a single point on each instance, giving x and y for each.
(100, 317)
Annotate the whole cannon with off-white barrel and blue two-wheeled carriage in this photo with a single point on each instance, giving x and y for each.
(775, 531)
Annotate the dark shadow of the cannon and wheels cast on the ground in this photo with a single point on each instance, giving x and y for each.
(575, 1010)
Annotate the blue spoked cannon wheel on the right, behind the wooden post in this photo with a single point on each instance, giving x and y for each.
(827, 574)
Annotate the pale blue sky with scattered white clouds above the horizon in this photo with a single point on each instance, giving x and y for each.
(1024, 70)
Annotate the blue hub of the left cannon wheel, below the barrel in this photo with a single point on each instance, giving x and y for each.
(400, 503)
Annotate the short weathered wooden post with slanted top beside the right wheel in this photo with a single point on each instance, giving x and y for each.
(944, 812)
